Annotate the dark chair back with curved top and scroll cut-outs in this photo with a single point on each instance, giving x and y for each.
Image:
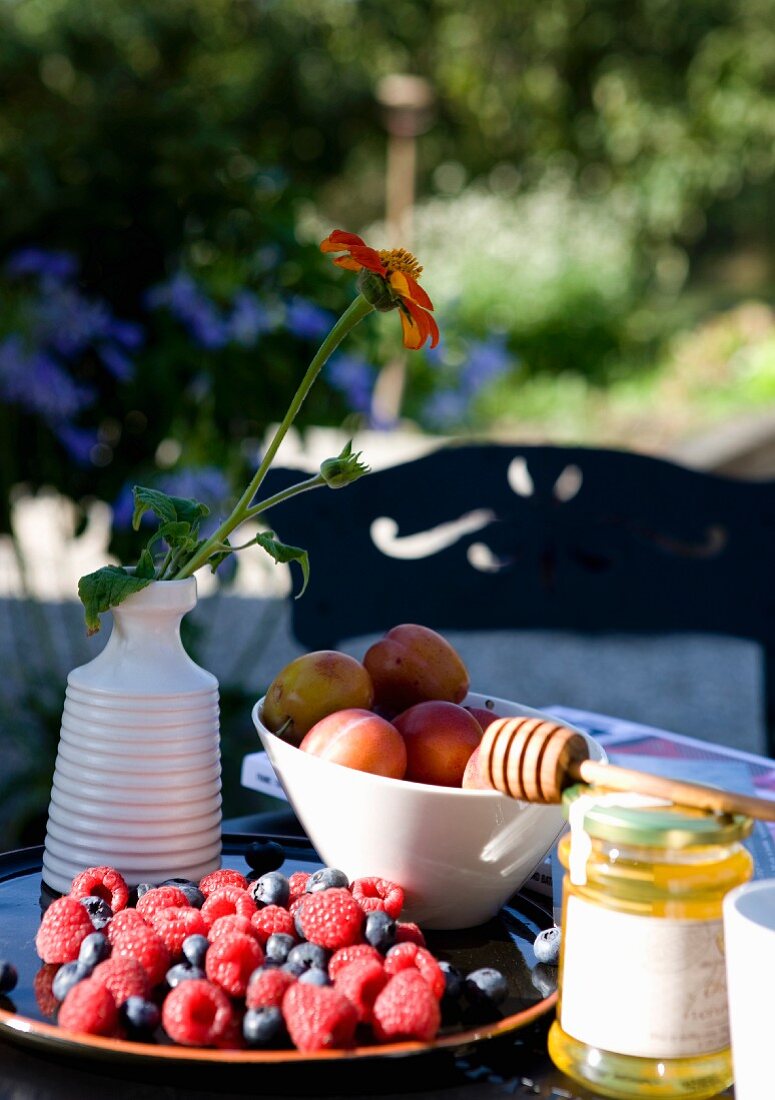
(510, 537)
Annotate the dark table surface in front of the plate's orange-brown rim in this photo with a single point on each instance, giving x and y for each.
(515, 1065)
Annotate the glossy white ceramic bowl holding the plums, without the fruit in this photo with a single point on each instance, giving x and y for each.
(459, 855)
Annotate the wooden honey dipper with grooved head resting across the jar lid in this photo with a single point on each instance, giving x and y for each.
(535, 761)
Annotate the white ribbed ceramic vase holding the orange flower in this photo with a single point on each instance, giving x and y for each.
(138, 777)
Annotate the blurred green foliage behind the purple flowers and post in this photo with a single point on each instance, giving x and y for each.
(583, 166)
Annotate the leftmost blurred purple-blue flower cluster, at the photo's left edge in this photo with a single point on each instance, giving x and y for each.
(52, 328)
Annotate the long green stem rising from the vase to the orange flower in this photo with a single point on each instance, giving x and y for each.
(242, 511)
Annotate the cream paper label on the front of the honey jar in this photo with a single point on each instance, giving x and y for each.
(643, 986)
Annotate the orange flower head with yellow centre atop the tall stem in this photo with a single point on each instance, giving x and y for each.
(395, 288)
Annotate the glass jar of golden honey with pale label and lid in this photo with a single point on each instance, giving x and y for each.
(643, 1008)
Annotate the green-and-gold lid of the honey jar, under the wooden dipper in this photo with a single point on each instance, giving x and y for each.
(651, 823)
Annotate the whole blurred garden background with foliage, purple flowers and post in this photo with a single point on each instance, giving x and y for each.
(589, 185)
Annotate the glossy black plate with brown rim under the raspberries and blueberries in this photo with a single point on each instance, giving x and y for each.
(505, 943)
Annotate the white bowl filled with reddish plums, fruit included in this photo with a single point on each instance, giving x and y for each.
(379, 760)
